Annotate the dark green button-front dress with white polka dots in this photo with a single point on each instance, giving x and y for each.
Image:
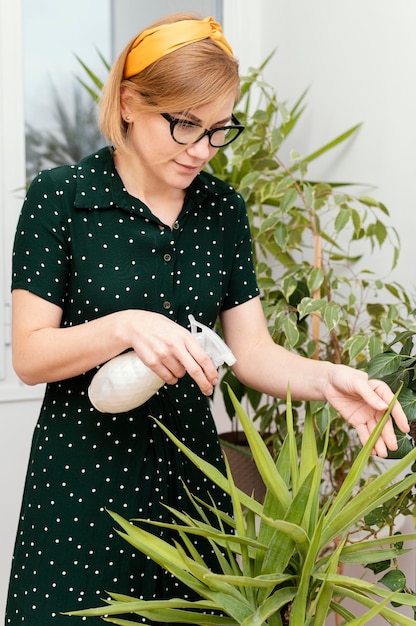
(86, 245)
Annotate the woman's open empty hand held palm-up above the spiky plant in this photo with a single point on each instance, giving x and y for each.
(362, 402)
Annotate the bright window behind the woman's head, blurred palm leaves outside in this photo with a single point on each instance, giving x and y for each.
(59, 113)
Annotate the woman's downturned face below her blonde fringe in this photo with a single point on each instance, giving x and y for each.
(162, 160)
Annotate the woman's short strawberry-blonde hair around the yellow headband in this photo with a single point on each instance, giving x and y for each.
(195, 75)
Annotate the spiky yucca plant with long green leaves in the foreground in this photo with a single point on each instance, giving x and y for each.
(279, 563)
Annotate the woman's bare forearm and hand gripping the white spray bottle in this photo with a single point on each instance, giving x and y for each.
(45, 352)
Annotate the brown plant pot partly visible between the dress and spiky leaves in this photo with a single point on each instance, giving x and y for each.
(244, 471)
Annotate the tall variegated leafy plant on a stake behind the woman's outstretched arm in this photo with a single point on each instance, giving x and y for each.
(312, 241)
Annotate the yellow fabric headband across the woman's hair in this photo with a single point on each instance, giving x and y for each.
(154, 43)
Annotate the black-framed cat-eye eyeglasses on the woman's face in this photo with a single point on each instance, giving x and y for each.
(184, 131)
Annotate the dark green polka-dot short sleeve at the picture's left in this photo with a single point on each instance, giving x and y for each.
(40, 254)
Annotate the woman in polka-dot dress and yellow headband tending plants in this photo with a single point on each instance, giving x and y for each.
(113, 254)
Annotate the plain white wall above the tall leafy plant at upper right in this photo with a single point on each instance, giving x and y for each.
(358, 59)
